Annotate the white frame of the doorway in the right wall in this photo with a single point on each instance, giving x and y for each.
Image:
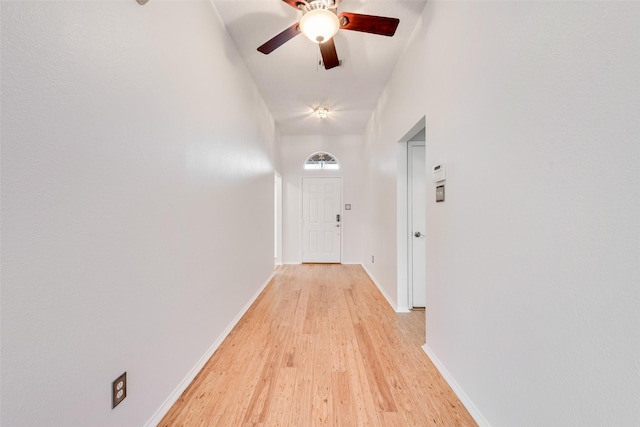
(402, 217)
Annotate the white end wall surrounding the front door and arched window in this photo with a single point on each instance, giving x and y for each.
(348, 150)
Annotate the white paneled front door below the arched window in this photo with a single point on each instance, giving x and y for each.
(321, 201)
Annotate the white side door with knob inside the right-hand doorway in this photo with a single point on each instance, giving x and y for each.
(417, 220)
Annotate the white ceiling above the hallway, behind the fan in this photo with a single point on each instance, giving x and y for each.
(291, 80)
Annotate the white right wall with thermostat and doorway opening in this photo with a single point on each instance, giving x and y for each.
(533, 261)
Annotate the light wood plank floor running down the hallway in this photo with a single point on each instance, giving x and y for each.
(321, 347)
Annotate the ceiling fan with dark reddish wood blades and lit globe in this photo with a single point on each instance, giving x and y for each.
(320, 22)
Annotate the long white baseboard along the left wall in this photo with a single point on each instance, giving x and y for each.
(175, 395)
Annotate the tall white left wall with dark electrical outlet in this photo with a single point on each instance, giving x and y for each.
(135, 151)
